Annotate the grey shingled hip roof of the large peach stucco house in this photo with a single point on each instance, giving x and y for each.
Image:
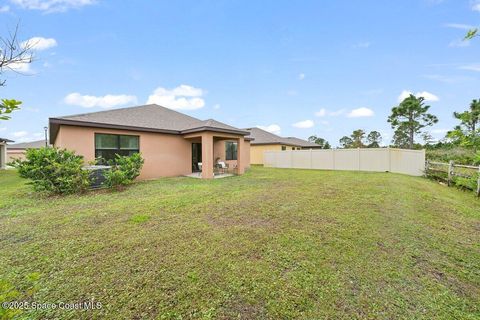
(149, 117)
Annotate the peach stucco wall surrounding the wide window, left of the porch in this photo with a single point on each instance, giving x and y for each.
(165, 155)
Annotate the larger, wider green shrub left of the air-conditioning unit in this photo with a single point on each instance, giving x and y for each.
(53, 170)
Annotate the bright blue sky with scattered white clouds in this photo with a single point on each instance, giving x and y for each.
(295, 68)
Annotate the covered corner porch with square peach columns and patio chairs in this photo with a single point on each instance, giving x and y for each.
(216, 154)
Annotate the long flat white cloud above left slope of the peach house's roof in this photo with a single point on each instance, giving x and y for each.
(107, 101)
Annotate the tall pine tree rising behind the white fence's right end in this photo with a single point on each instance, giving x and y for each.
(410, 117)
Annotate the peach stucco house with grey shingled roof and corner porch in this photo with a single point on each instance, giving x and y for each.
(172, 143)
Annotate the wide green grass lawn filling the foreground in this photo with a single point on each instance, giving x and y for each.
(271, 244)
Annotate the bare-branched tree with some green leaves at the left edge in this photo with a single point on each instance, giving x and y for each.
(12, 55)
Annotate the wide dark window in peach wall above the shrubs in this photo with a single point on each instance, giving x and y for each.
(108, 145)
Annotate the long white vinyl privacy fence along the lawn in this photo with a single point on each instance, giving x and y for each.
(411, 162)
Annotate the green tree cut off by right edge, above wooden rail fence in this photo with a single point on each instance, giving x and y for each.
(467, 133)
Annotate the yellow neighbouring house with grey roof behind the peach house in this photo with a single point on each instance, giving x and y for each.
(267, 141)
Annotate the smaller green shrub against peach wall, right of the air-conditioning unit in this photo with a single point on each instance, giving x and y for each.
(124, 170)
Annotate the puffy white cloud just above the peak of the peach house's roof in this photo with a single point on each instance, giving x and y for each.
(183, 97)
